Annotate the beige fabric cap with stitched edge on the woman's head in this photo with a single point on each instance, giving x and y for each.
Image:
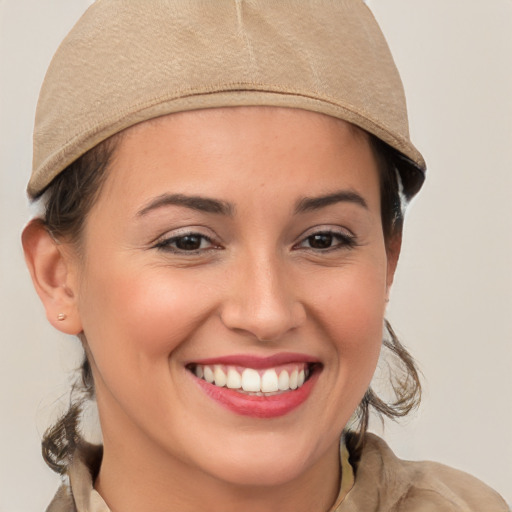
(126, 61)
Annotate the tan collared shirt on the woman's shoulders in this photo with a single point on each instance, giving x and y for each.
(373, 479)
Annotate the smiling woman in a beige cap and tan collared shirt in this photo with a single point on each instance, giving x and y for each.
(224, 186)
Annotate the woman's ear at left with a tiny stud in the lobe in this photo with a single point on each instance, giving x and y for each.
(54, 274)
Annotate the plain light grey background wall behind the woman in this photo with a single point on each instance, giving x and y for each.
(452, 301)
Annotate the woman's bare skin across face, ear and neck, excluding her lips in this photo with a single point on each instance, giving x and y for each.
(259, 286)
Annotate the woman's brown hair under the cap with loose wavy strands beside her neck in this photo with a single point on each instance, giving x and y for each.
(67, 202)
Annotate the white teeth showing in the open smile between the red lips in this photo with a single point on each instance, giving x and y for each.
(256, 382)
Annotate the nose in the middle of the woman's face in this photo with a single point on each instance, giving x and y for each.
(260, 300)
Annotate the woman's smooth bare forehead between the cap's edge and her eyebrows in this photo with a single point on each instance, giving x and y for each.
(240, 149)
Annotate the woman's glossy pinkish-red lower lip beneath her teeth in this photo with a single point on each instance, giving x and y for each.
(259, 406)
